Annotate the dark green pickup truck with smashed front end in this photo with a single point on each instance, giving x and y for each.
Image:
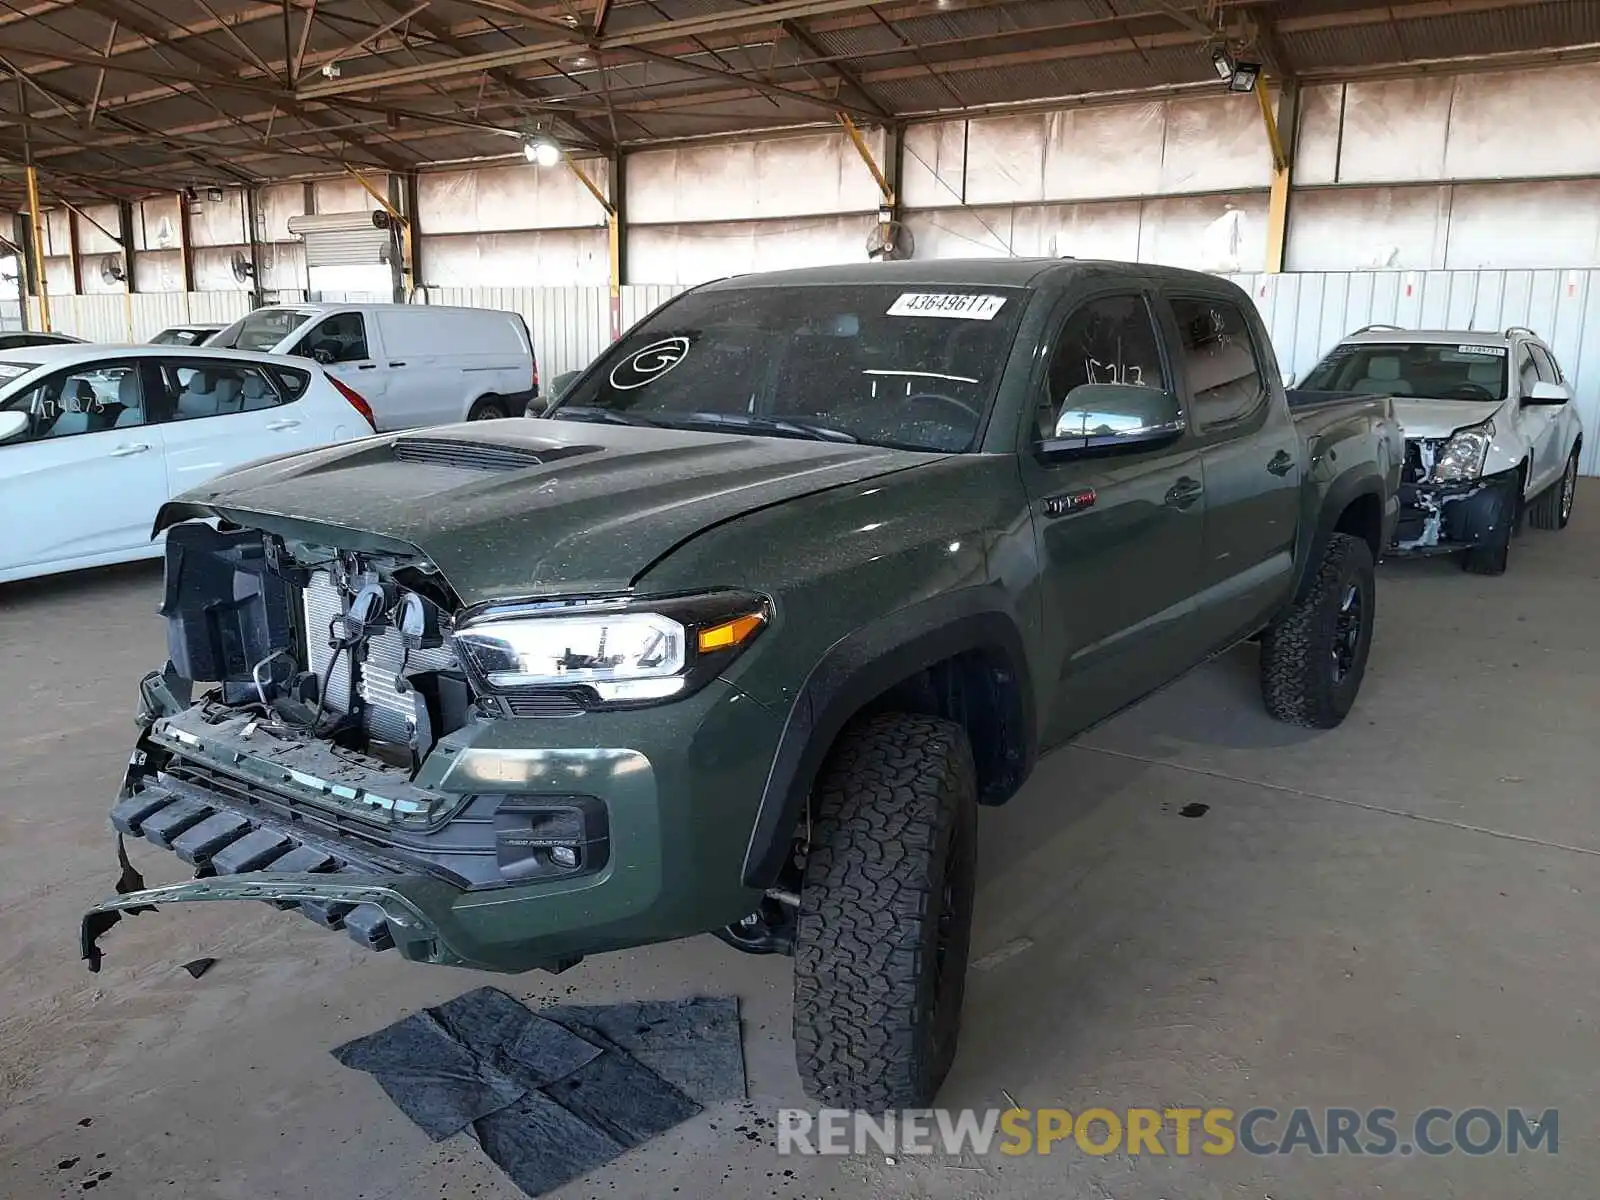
(740, 636)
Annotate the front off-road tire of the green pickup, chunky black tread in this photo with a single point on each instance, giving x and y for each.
(889, 879)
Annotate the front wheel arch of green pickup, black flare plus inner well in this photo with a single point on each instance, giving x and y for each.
(958, 657)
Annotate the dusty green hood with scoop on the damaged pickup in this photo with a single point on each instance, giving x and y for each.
(524, 508)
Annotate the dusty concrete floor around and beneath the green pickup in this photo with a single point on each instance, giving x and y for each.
(1401, 913)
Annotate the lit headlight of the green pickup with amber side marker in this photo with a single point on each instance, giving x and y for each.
(610, 654)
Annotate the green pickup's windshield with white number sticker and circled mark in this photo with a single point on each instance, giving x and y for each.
(911, 367)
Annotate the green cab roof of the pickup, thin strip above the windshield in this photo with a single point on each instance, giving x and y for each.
(1004, 273)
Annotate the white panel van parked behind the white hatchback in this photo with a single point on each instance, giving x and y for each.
(415, 364)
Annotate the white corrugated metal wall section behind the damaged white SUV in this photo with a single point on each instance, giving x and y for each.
(1310, 313)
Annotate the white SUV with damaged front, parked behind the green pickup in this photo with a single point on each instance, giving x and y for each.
(1490, 434)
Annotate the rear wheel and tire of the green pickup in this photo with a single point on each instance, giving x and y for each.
(1300, 681)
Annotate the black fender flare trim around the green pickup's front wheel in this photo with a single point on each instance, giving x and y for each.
(852, 674)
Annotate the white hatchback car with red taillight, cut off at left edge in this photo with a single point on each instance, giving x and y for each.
(95, 439)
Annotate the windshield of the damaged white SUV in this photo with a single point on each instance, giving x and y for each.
(1426, 370)
